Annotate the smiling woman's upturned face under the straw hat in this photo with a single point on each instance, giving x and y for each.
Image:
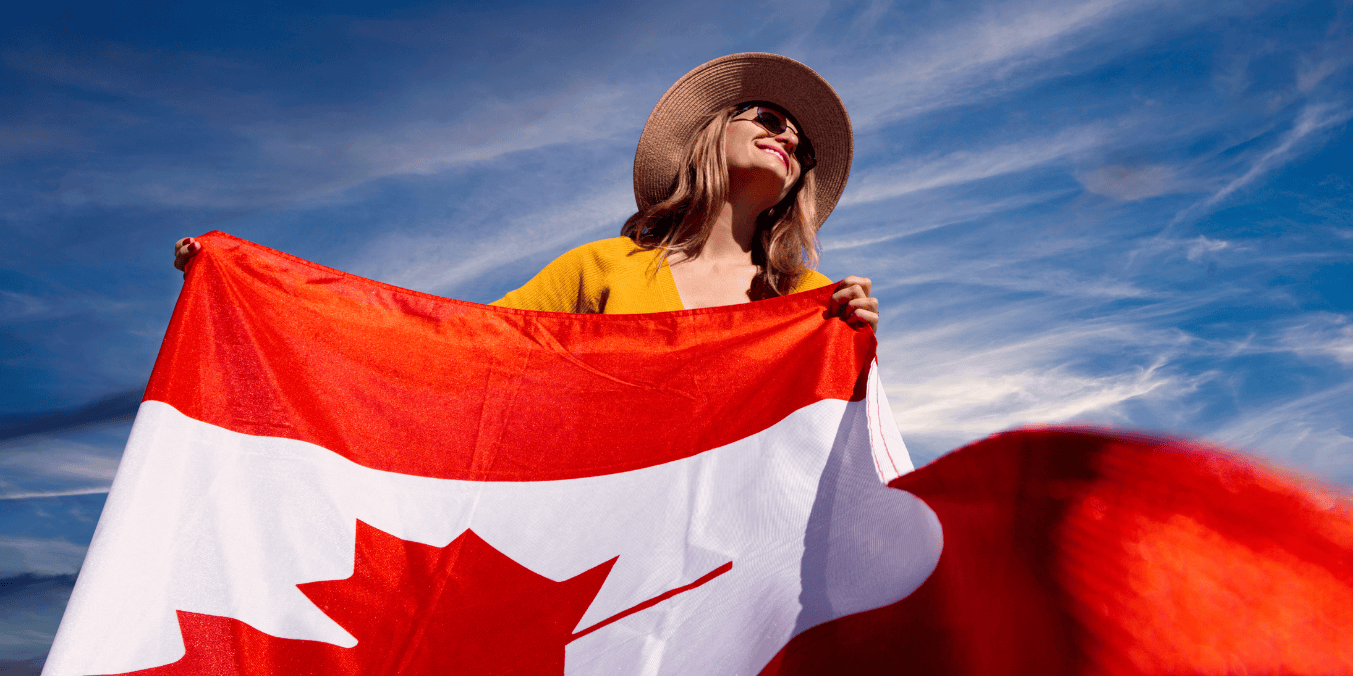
(760, 160)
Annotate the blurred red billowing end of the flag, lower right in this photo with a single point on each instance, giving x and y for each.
(1093, 552)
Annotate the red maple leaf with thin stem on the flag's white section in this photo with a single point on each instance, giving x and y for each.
(415, 609)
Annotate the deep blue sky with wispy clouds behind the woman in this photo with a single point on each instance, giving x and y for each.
(1107, 212)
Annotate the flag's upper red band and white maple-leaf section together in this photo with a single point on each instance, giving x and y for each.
(331, 475)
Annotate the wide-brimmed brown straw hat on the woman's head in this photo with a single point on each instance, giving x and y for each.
(739, 79)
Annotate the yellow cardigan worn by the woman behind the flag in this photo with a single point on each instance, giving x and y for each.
(612, 276)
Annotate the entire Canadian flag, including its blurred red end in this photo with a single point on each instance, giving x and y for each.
(334, 477)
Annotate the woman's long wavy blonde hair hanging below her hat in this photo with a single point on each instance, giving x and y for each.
(787, 235)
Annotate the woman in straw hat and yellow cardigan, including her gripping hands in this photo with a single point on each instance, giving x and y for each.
(731, 194)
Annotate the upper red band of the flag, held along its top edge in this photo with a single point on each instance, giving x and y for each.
(267, 344)
